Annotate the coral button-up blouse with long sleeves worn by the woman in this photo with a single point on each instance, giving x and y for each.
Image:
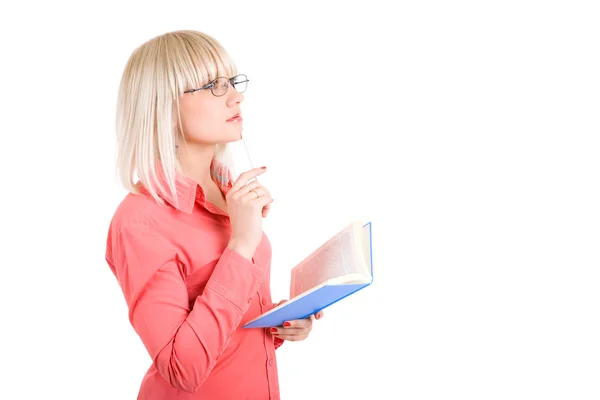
(189, 295)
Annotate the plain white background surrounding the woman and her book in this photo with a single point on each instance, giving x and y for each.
(466, 131)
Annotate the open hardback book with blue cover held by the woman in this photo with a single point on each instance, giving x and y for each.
(340, 267)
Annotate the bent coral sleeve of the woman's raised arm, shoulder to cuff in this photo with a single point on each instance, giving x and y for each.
(184, 342)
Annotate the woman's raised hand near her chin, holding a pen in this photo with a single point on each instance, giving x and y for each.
(246, 202)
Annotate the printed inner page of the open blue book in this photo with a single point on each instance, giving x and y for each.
(337, 257)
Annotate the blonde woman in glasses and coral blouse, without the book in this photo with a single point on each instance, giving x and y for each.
(186, 244)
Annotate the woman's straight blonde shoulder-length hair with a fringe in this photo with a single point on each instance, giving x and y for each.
(148, 122)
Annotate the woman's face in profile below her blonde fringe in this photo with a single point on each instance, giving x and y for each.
(207, 119)
